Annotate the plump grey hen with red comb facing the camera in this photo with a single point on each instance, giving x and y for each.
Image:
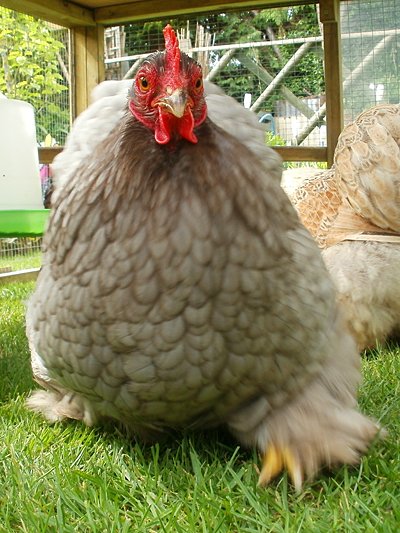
(179, 290)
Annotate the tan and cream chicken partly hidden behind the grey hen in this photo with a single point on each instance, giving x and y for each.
(353, 211)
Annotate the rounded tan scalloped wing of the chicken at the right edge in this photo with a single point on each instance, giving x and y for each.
(367, 160)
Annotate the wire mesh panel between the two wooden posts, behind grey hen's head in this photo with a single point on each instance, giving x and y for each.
(270, 60)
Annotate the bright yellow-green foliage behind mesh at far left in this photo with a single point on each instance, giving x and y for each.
(30, 70)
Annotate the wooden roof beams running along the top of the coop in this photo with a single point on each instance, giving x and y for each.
(92, 12)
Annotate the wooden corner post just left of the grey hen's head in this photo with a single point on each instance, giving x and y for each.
(88, 64)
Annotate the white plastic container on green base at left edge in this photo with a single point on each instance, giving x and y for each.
(20, 186)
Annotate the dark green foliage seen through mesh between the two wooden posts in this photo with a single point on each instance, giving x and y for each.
(249, 26)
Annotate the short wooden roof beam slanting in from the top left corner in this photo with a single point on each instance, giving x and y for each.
(59, 12)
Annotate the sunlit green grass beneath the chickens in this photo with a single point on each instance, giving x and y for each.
(69, 478)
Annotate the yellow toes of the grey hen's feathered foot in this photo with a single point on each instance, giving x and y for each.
(275, 460)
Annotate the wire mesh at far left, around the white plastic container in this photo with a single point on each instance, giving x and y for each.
(35, 67)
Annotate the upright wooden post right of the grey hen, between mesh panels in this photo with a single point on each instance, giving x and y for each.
(330, 19)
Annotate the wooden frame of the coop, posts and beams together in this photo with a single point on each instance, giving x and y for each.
(87, 19)
